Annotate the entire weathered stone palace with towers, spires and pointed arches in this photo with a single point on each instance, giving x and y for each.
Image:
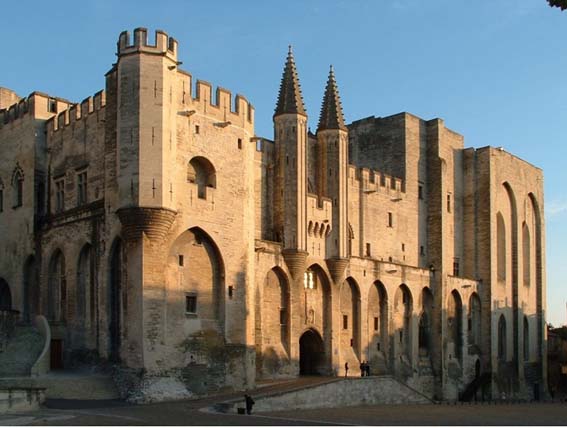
(155, 230)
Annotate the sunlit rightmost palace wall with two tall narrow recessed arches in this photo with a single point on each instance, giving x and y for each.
(517, 275)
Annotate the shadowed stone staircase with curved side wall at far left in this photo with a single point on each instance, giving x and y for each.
(21, 352)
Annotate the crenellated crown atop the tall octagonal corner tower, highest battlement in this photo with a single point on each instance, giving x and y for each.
(164, 45)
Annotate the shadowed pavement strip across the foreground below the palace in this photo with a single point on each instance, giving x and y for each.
(191, 413)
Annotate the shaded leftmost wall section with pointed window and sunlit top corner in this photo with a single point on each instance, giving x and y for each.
(22, 138)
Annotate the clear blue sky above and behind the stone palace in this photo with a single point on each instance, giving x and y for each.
(493, 69)
